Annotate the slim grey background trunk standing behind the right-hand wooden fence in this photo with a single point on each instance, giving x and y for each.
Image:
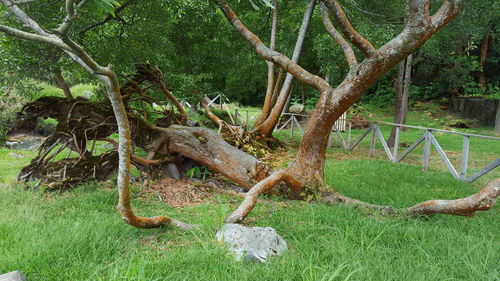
(401, 91)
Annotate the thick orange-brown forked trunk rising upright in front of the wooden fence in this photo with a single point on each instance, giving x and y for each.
(304, 175)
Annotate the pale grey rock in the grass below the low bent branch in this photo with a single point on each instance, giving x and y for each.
(252, 243)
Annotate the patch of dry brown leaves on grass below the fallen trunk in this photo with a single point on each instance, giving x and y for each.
(181, 193)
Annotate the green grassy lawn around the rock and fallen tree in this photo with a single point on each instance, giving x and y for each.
(79, 235)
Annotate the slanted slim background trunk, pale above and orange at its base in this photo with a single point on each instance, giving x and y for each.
(266, 128)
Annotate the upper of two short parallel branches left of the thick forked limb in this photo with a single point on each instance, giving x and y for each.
(349, 32)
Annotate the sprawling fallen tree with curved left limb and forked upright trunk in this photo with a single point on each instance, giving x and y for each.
(304, 176)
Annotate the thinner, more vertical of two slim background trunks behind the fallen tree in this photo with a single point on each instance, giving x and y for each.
(266, 109)
